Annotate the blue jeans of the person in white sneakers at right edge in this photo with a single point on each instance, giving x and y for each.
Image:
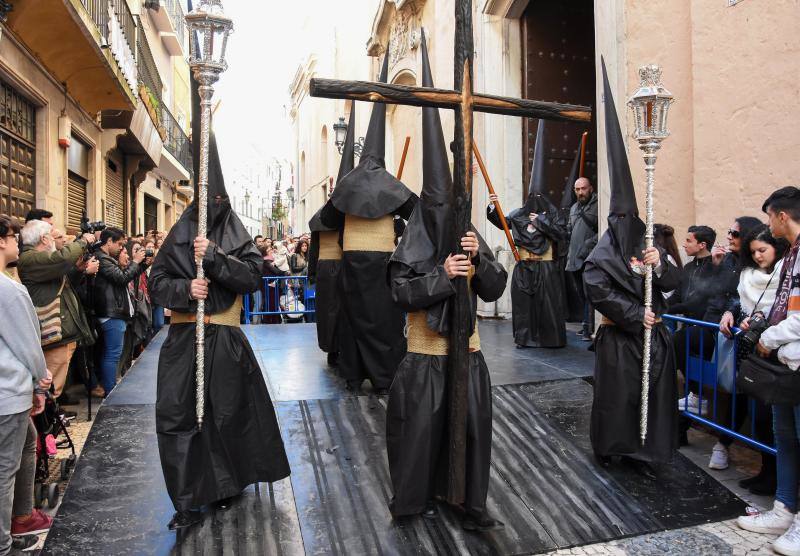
(786, 420)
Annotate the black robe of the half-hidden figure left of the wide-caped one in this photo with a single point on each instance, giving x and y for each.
(323, 273)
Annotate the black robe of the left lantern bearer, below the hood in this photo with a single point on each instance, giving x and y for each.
(240, 442)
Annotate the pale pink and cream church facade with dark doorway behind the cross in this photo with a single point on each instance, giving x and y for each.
(729, 65)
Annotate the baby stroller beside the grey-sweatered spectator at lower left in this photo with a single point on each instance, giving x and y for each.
(50, 424)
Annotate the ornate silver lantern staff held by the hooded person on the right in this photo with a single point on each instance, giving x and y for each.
(650, 106)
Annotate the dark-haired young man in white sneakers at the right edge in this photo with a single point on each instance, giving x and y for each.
(781, 342)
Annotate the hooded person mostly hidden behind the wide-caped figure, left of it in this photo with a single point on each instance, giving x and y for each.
(324, 262)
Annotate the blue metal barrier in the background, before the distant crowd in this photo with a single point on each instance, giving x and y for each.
(280, 294)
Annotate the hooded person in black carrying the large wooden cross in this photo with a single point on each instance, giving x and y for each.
(421, 272)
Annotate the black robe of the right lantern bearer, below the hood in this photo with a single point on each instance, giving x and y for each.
(614, 290)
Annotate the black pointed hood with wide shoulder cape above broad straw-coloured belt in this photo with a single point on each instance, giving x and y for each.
(369, 191)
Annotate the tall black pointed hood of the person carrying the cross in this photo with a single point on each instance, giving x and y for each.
(426, 239)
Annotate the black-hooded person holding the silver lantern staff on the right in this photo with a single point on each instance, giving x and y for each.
(614, 283)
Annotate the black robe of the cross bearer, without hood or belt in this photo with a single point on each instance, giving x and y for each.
(417, 411)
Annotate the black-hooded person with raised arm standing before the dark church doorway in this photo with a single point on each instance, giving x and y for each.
(537, 285)
